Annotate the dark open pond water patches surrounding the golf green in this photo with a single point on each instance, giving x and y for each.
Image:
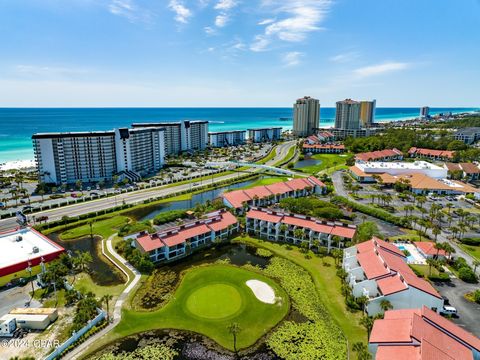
(191, 346)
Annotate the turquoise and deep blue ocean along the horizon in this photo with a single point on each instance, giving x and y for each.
(18, 124)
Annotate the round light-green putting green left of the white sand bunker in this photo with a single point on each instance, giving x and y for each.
(215, 301)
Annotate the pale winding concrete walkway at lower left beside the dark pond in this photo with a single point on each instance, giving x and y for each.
(117, 311)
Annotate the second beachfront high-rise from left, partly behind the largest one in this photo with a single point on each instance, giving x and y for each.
(182, 135)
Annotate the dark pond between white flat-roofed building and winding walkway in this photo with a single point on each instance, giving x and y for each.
(102, 273)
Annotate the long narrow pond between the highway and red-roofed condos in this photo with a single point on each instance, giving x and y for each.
(197, 198)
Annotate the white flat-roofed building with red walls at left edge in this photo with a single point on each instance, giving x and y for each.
(24, 248)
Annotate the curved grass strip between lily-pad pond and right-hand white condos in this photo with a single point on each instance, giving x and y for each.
(327, 283)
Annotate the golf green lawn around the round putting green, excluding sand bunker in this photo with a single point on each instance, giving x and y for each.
(209, 299)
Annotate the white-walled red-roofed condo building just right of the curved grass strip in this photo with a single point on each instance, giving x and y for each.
(378, 270)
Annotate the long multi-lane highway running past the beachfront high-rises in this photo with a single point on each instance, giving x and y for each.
(136, 196)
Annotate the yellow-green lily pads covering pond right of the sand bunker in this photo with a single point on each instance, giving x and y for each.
(318, 338)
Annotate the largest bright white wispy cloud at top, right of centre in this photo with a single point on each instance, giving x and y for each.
(296, 19)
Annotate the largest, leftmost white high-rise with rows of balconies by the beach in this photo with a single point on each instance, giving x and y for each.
(64, 158)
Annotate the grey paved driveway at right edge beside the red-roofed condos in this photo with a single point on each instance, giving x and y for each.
(467, 311)
